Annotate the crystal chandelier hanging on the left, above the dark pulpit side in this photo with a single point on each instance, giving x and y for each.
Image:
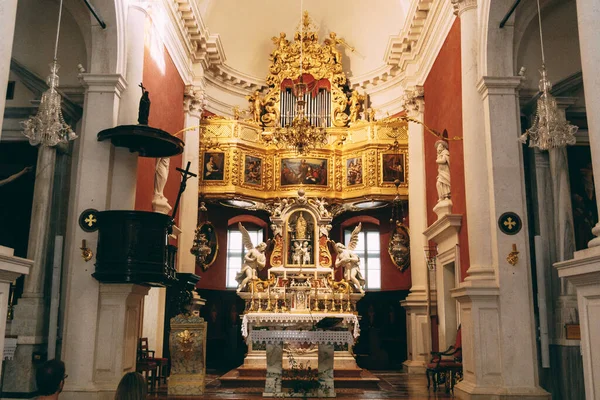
(48, 126)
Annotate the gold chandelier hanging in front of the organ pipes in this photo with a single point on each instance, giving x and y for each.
(300, 134)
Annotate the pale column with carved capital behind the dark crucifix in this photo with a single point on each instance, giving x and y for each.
(193, 105)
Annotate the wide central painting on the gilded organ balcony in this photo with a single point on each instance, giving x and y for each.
(305, 171)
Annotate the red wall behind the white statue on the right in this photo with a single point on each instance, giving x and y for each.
(443, 110)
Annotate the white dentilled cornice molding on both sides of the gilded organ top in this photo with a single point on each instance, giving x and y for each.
(408, 57)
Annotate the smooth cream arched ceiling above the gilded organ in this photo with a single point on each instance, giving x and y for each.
(246, 27)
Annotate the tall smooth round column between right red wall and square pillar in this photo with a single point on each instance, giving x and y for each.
(477, 191)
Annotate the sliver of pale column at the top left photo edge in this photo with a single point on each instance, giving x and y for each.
(8, 17)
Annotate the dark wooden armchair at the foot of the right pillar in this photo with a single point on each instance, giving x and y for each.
(446, 370)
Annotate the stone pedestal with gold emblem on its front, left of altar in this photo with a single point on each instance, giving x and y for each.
(187, 344)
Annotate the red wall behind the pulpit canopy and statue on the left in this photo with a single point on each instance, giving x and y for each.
(166, 113)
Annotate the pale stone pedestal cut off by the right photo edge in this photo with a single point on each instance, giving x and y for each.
(584, 273)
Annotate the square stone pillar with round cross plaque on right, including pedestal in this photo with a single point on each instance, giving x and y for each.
(498, 323)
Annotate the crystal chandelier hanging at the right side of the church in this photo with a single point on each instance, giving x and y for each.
(550, 129)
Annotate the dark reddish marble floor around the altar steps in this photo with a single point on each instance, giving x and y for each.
(394, 385)
